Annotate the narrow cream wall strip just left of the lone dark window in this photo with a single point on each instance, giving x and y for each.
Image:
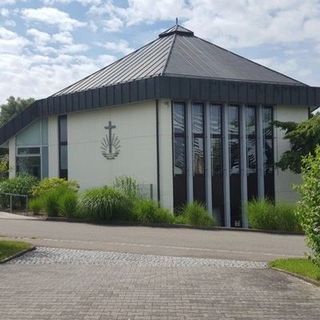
(53, 150)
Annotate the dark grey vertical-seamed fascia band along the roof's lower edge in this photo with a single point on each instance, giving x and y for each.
(161, 87)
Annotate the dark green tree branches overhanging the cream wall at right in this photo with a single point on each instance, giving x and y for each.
(304, 137)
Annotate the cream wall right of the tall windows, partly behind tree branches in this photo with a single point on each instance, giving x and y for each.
(284, 180)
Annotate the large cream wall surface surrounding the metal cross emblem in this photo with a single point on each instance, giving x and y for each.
(136, 129)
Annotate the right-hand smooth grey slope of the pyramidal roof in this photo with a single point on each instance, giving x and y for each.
(194, 57)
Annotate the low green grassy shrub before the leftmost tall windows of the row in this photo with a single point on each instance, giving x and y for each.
(196, 215)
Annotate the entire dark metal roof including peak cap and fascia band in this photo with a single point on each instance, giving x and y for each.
(178, 66)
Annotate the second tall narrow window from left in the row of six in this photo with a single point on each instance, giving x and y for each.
(198, 152)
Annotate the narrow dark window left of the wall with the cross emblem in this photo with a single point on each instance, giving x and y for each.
(63, 147)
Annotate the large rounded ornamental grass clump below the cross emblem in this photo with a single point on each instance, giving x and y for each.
(103, 204)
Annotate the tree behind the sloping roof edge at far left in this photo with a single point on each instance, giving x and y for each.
(13, 107)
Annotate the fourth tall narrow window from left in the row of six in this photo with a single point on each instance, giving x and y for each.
(234, 155)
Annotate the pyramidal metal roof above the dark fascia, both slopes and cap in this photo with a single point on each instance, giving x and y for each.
(177, 52)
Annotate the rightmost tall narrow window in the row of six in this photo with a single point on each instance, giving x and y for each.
(268, 162)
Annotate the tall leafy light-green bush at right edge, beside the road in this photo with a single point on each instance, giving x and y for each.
(308, 209)
